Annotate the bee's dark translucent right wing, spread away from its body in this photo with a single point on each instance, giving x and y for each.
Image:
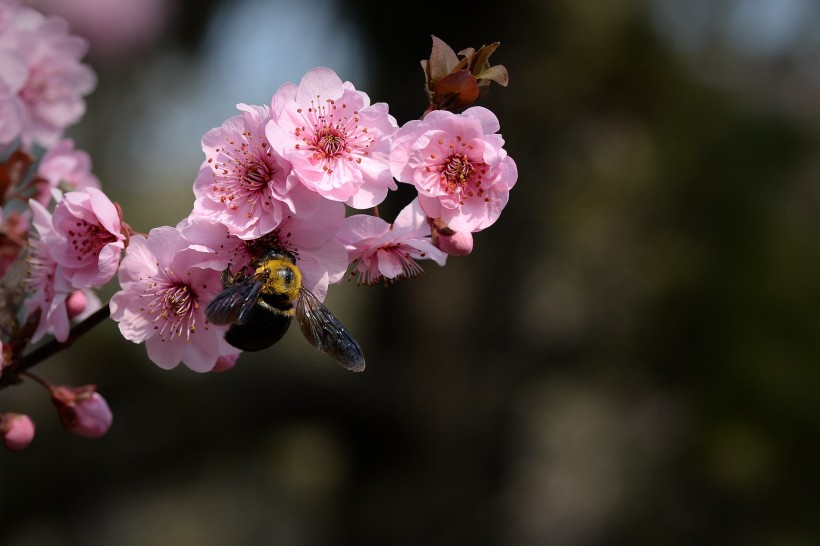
(326, 333)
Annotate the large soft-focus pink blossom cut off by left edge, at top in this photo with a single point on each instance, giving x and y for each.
(42, 81)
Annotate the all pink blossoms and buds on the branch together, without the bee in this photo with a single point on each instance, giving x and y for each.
(305, 174)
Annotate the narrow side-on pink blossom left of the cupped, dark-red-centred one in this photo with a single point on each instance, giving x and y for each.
(48, 287)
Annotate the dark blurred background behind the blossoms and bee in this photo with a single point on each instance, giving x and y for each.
(629, 356)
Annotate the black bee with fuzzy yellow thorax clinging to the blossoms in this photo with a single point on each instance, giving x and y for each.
(259, 309)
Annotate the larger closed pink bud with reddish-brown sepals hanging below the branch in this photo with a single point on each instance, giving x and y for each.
(82, 410)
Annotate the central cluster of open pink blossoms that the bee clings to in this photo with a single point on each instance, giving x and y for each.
(283, 175)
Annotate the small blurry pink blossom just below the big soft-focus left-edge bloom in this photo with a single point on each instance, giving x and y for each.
(64, 167)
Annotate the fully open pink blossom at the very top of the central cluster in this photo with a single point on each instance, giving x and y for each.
(337, 142)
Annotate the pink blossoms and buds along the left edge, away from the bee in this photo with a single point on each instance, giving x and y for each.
(61, 237)
